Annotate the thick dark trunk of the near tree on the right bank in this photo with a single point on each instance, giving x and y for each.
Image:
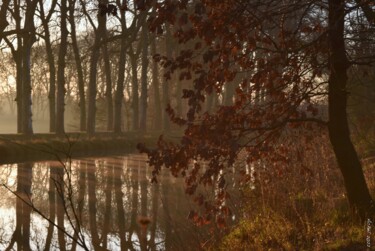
(339, 133)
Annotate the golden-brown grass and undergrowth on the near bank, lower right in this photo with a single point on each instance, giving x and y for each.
(301, 206)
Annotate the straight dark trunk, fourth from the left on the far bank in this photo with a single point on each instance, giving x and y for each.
(60, 104)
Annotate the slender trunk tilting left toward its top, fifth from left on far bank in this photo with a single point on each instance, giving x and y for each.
(78, 61)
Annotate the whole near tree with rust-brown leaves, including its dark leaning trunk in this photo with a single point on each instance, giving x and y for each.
(278, 52)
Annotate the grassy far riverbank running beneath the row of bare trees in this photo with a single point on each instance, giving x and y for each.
(16, 148)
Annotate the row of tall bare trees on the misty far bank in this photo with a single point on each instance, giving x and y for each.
(91, 54)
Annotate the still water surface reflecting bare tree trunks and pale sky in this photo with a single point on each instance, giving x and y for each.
(95, 204)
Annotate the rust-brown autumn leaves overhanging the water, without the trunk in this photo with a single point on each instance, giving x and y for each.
(276, 56)
